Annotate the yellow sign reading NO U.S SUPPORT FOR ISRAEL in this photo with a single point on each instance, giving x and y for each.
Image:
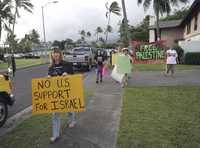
(58, 94)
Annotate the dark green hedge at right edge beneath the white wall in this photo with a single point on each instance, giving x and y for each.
(192, 58)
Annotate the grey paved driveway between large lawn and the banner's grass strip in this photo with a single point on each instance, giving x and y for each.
(153, 78)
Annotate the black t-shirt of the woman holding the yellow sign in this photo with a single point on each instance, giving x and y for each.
(59, 69)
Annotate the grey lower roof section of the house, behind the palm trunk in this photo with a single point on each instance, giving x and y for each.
(167, 24)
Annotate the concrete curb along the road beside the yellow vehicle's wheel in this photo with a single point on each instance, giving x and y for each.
(15, 120)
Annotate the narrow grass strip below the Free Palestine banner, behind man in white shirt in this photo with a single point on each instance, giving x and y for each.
(158, 67)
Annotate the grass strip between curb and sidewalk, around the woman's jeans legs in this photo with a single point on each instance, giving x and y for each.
(33, 132)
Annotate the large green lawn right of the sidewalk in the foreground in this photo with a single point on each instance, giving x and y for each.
(160, 117)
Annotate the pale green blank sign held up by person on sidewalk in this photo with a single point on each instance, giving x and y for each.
(123, 64)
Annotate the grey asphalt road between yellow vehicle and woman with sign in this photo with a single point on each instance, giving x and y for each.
(22, 87)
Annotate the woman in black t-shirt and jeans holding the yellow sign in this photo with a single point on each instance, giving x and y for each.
(59, 67)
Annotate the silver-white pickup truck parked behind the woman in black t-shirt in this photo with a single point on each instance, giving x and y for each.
(80, 57)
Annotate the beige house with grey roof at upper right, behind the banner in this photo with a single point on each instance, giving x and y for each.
(186, 32)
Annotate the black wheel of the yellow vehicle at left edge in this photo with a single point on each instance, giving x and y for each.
(3, 113)
